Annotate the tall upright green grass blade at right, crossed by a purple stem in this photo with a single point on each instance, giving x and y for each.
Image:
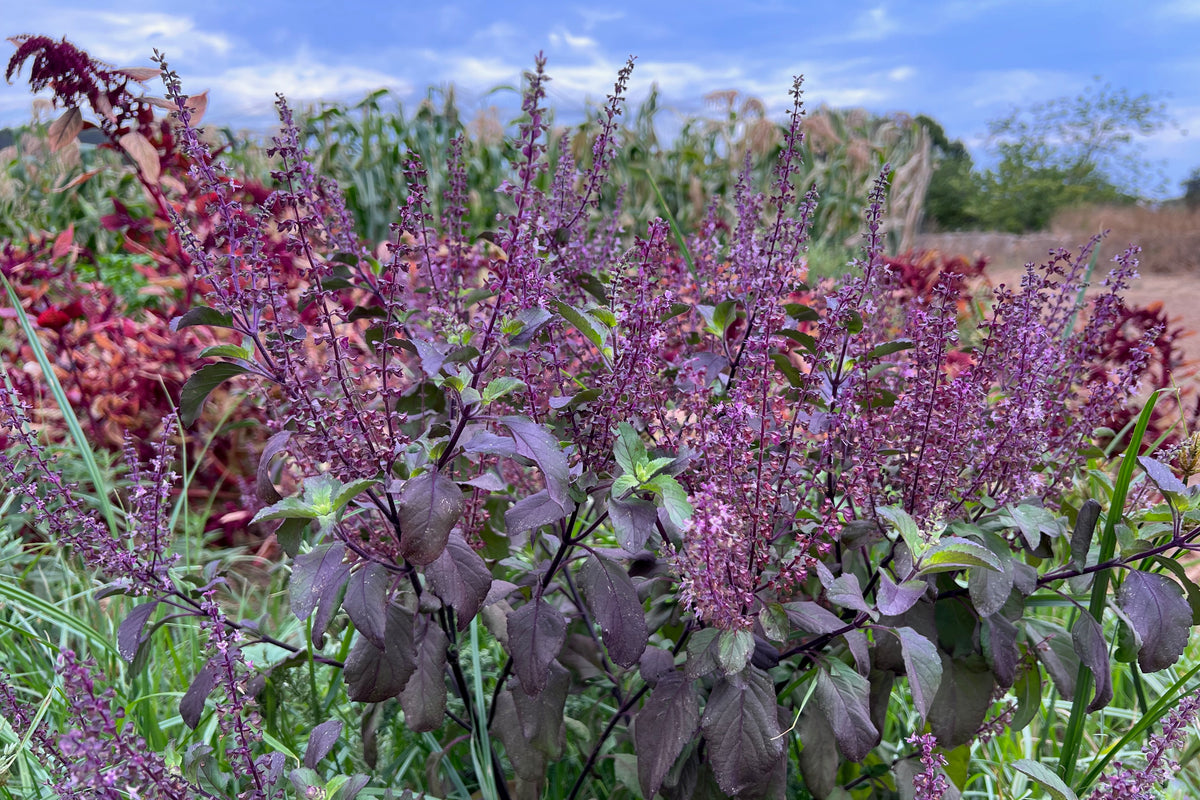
(1075, 733)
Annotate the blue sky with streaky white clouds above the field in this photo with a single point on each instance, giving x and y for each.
(963, 63)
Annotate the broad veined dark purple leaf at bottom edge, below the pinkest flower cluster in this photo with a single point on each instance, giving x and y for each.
(742, 730)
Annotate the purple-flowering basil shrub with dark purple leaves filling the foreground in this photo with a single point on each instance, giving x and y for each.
(707, 515)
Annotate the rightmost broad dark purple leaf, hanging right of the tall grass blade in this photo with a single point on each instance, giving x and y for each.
(1160, 616)
